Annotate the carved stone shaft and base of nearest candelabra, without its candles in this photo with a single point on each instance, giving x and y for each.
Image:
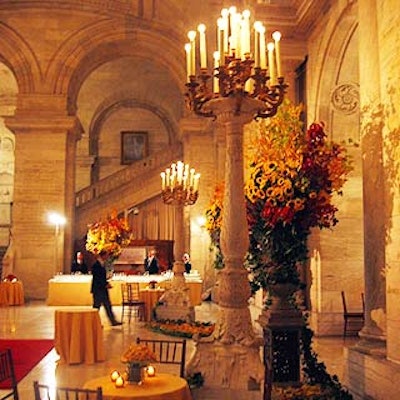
(234, 347)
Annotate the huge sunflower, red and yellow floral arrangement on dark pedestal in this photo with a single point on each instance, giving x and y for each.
(293, 178)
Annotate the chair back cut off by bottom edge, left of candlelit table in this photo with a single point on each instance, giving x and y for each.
(45, 392)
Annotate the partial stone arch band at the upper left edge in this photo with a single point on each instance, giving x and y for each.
(20, 58)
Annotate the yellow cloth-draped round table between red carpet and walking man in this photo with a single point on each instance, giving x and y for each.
(78, 336)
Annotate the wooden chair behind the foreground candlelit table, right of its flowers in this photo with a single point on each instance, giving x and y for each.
(168, 351)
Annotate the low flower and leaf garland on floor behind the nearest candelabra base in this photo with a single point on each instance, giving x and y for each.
(182, 328)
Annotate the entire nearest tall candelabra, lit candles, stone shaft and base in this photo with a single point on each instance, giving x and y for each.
(246, 83)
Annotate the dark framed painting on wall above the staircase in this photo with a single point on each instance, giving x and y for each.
(134, 146)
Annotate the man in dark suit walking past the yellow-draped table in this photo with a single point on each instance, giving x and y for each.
(100, 286)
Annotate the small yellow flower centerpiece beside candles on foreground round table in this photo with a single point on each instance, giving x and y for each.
(137, 357)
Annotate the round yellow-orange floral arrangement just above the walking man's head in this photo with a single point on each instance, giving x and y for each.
(110, 235)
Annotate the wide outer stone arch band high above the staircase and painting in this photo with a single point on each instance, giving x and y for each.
(104, 41)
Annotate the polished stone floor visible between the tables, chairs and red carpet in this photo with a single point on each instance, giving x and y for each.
(35, 320)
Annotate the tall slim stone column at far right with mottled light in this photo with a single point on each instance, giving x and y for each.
(373, 170)
